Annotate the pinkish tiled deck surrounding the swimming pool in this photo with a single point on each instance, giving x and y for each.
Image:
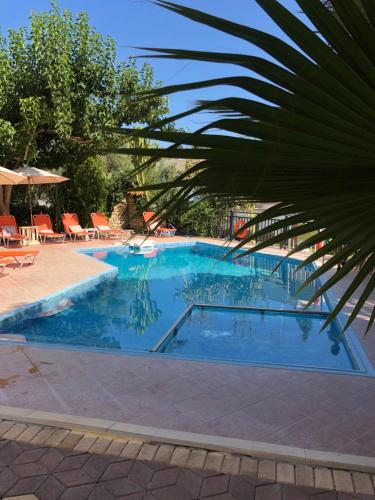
(321, 411)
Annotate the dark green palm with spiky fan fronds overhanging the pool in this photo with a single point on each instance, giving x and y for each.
(309, 144)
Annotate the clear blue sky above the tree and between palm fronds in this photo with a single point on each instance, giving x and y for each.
(140, 23)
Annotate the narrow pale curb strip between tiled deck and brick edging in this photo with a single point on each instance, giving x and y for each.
(253, 449)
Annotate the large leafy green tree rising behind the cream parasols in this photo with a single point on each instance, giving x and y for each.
(60, 86)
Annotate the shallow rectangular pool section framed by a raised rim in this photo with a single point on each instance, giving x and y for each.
(261, 337)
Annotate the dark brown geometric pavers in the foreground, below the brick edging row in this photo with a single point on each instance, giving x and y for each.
(56, 473)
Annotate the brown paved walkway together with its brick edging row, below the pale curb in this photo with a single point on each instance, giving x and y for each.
(138, 471)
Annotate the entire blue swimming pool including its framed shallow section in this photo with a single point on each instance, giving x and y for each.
(132, 312)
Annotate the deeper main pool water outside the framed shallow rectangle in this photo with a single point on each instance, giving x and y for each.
(132, 312)
